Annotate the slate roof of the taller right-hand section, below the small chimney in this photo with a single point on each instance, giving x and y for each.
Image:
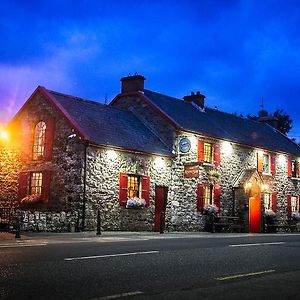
(215, 123)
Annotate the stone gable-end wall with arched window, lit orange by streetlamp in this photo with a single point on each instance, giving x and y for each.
(66, 166)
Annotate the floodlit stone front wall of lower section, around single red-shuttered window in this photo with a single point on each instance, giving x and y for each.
(103, 169)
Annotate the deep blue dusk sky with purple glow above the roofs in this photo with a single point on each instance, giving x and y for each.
(234, 52)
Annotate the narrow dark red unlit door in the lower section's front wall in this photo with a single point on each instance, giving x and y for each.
(160, 207)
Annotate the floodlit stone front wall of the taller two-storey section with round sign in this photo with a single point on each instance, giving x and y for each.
(234, 159)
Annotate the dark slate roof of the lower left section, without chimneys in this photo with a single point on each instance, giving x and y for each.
(105, 125)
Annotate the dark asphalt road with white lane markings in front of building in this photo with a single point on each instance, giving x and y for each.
(153, 267)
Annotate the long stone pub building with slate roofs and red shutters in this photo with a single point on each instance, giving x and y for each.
(173, 158)
